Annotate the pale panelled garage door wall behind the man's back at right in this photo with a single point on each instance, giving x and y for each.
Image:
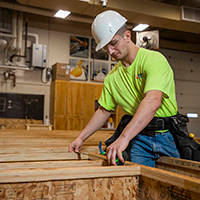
(186, 67)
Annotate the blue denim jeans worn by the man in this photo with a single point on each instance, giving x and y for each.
(145, 150)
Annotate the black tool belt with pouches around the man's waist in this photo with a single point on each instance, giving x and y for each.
(177, 125)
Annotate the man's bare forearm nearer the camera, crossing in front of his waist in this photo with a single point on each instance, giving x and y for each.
(142, 117)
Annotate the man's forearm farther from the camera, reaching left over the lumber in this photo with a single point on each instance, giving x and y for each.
(95, 123)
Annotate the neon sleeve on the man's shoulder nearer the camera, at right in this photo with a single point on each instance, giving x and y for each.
(159, 76)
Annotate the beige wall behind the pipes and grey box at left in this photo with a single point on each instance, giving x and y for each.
(57, 40)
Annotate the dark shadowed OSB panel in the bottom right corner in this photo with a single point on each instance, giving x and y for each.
(150, 189)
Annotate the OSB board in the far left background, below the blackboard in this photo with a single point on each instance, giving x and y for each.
(18, 123)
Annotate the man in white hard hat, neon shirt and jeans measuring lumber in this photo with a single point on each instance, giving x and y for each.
(142, 84)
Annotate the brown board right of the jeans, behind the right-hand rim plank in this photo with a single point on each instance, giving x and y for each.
(179, 166)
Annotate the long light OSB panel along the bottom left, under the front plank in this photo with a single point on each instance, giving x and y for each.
(97, 189)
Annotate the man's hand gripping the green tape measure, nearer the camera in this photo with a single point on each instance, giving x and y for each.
(115, 149)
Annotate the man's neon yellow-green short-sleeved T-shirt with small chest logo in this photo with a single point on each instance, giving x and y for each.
(127, 86)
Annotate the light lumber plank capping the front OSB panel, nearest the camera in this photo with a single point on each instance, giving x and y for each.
(35, 175)
